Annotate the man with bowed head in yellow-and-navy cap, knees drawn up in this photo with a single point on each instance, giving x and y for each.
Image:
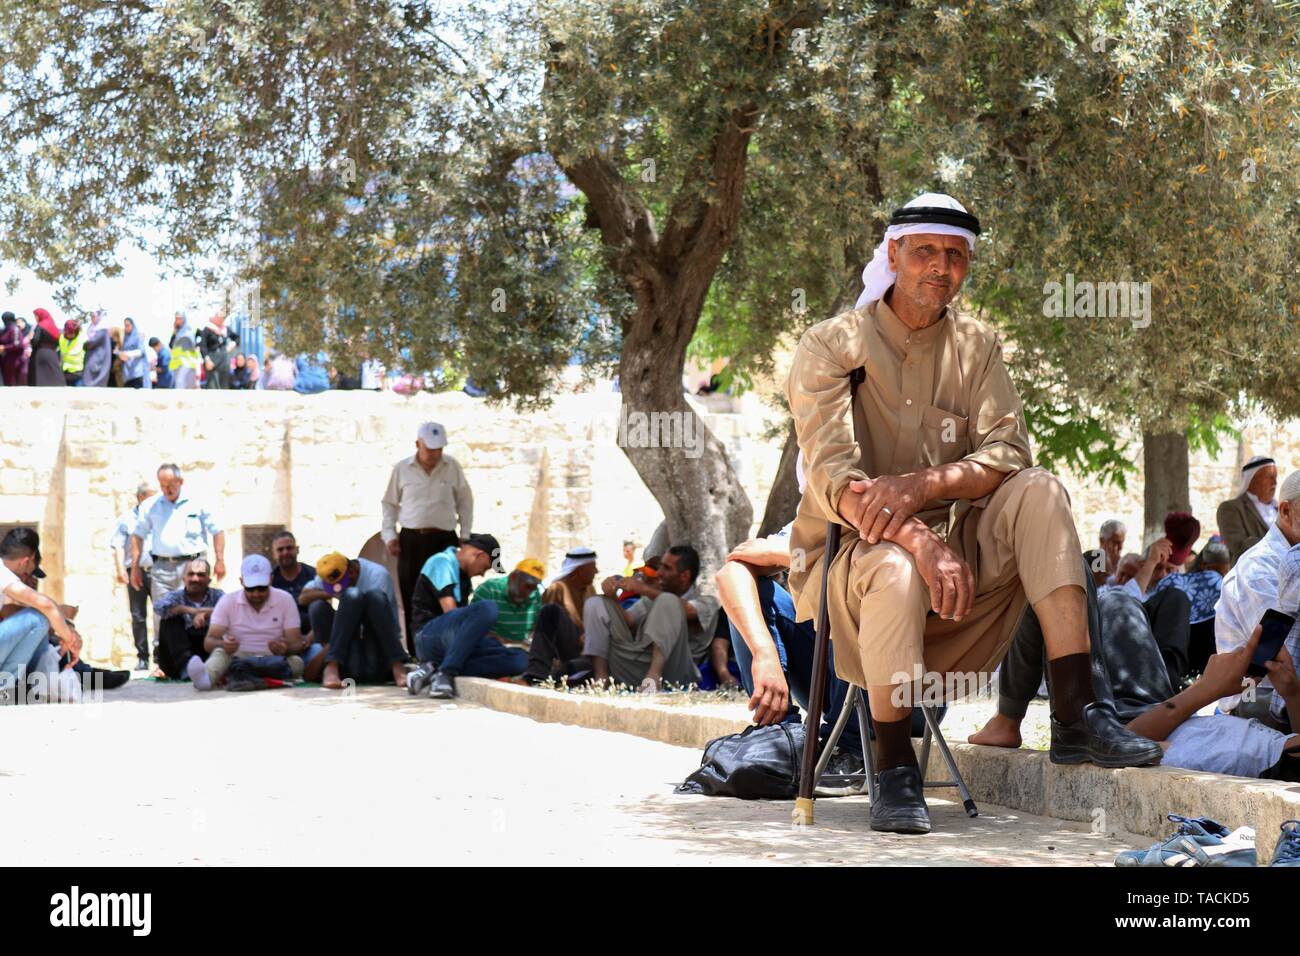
(363, 633)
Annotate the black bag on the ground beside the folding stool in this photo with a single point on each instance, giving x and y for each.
(757, 764)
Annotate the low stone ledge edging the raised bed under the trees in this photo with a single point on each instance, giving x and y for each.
(1134, 801)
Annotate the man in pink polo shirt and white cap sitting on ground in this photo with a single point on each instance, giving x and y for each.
(257, 621)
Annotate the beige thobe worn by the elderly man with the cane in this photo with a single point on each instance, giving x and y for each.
(930, 397)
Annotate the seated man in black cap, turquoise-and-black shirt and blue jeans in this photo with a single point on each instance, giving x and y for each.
(456, 638)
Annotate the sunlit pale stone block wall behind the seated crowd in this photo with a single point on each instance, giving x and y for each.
(544, 482)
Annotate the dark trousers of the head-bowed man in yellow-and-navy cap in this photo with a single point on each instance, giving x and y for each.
(362, 637)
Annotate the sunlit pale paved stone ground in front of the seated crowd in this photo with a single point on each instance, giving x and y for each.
(158, 775)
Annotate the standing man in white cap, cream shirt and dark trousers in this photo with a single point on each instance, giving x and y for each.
(427, 496)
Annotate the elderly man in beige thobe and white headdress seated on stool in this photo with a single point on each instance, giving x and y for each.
(952, 530)
